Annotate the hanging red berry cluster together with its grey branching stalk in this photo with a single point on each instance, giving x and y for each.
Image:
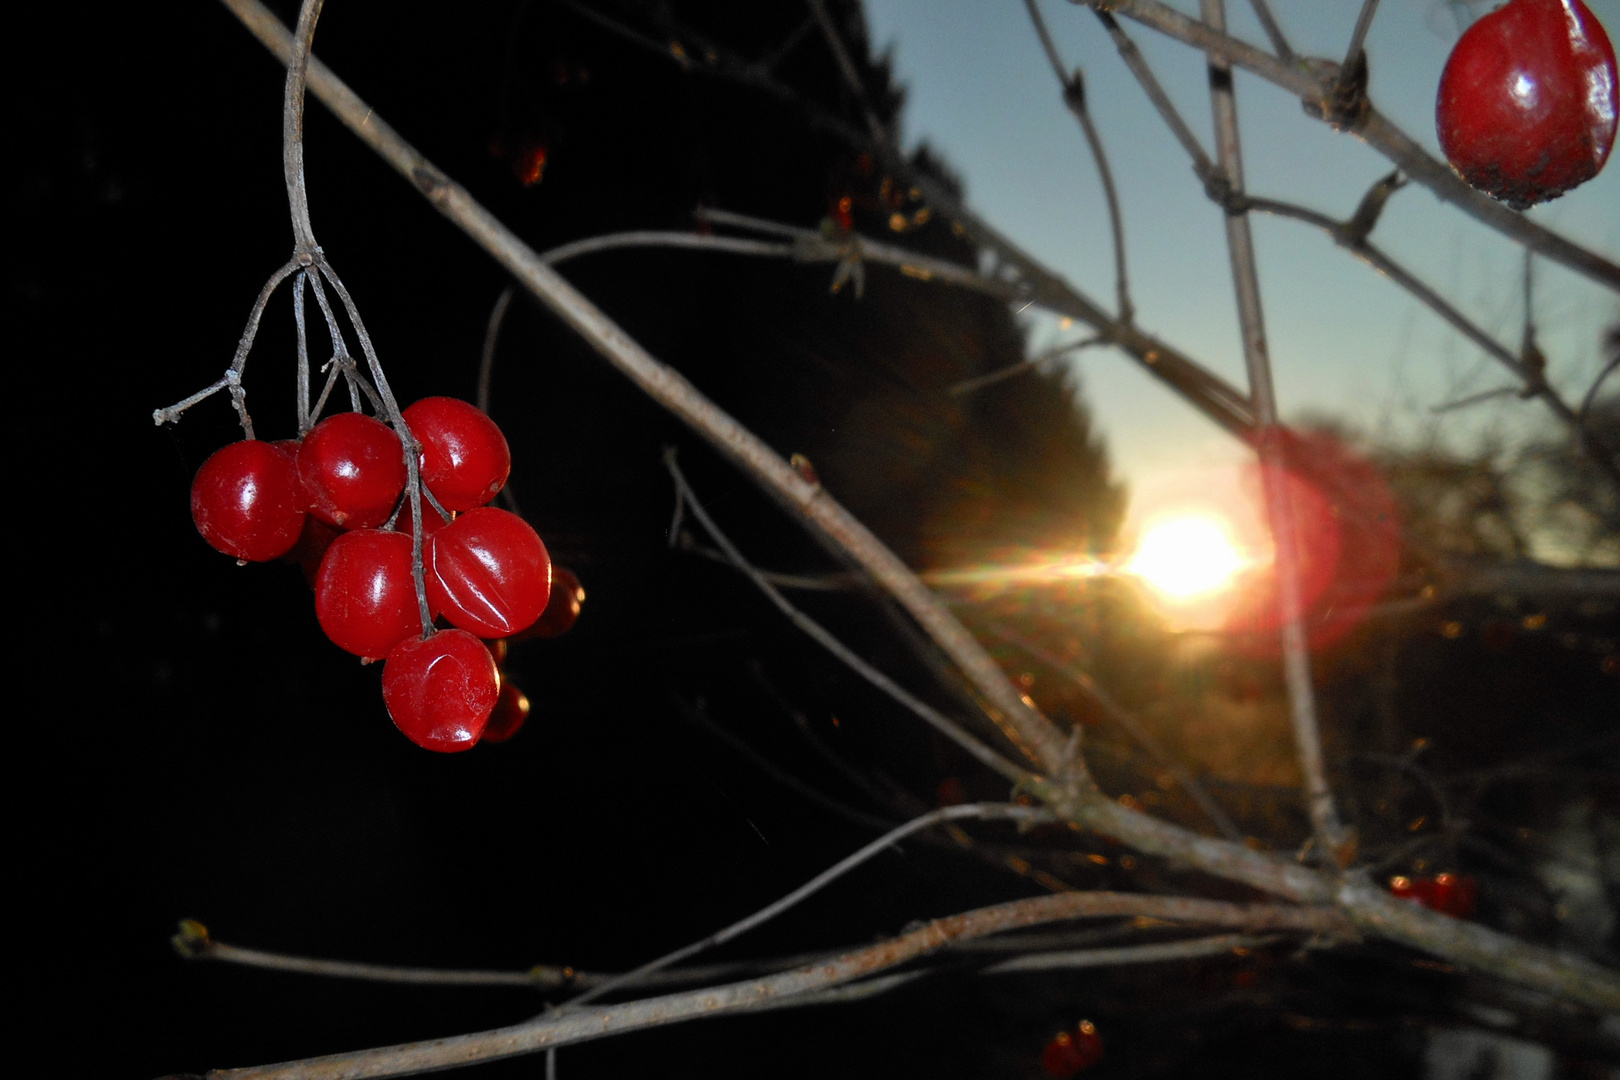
(390, 521)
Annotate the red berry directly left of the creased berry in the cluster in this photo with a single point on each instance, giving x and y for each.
(365, 597)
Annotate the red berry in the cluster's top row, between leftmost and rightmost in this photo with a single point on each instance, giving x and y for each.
(354, 470)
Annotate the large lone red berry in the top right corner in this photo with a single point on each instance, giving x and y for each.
(1527, 106)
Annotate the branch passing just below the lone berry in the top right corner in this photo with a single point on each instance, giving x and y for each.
(1373, 129)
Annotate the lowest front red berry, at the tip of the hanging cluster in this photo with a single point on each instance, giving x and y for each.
(441, 692)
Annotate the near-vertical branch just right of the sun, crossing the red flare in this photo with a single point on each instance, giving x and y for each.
(1281, 512)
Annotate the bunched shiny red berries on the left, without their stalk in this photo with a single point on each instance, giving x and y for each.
(333, 503)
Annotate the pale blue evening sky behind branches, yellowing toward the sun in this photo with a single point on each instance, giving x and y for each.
(1344, 341)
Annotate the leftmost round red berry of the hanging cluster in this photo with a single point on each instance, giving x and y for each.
(247, 501)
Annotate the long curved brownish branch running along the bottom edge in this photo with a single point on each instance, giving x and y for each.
(565, 1029)
